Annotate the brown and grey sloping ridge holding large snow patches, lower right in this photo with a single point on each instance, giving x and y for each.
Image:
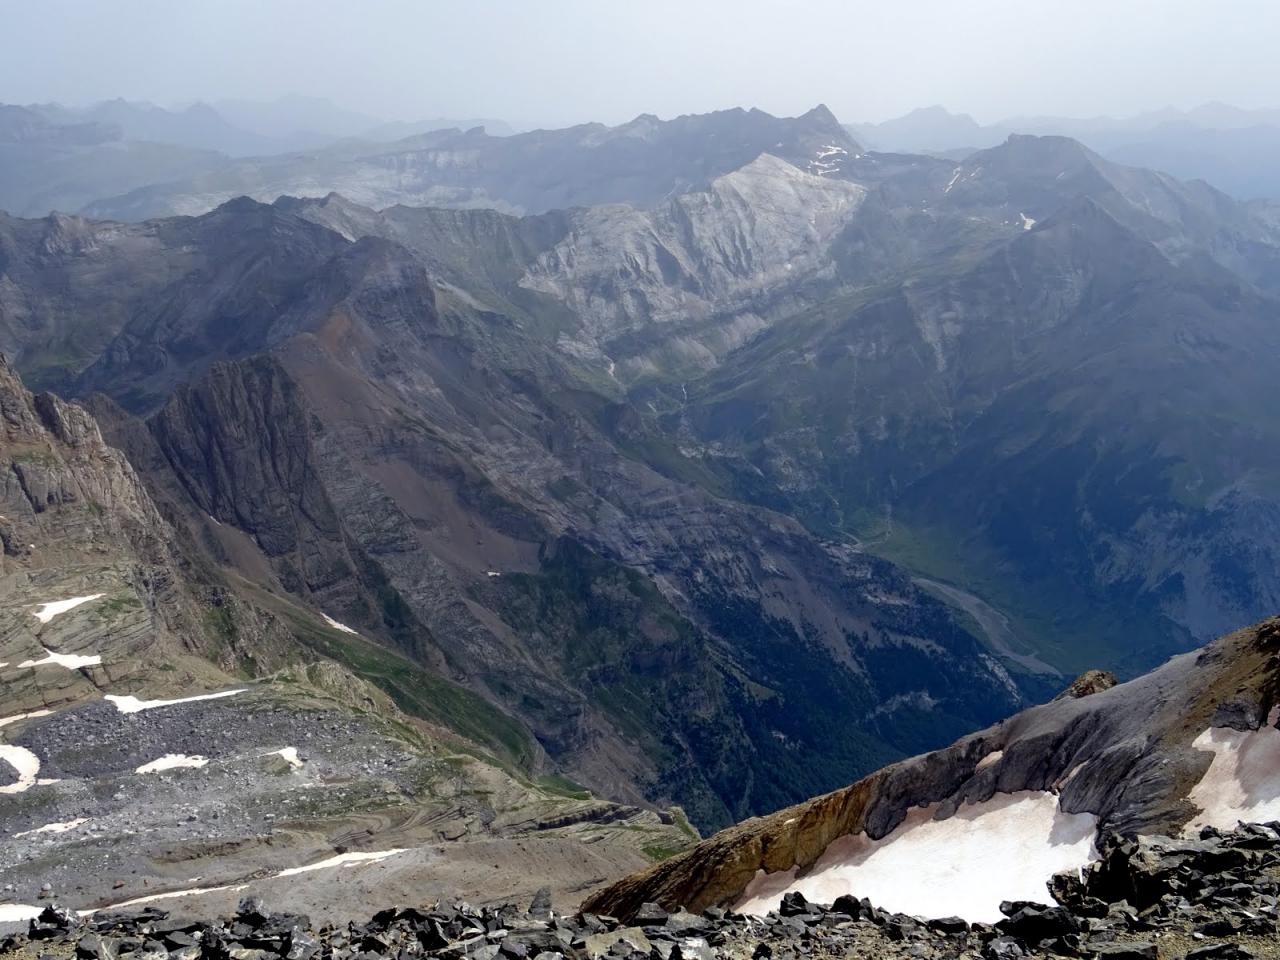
(1187, 746)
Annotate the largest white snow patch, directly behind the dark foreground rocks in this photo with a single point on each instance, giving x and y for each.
(1003, 849)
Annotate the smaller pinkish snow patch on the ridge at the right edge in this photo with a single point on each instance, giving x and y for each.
(1242, 781)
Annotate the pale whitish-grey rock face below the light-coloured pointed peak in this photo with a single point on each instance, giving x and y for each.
(733, 252)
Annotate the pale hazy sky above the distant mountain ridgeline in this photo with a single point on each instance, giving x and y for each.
(568, 61)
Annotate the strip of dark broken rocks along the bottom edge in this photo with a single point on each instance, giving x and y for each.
(1212, 898)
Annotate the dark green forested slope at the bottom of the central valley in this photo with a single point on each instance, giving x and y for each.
(702, 712)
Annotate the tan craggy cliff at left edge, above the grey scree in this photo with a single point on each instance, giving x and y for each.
(90, 575)
